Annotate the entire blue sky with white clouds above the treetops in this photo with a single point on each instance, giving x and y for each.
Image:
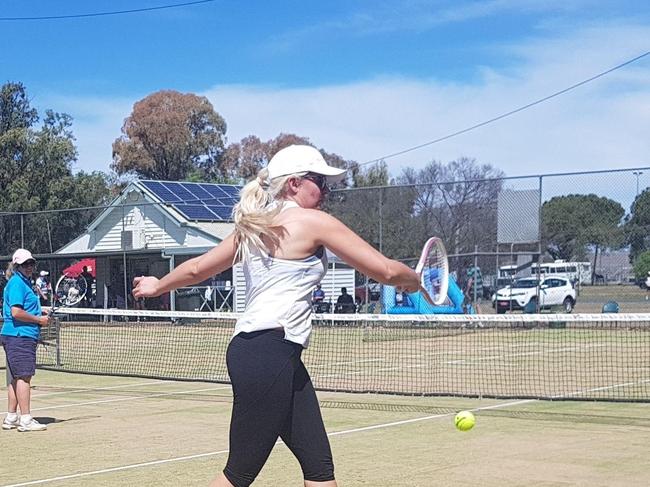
(359, 78)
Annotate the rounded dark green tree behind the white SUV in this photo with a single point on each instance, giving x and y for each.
(572, 223)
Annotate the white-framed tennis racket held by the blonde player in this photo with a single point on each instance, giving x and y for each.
(433, 270)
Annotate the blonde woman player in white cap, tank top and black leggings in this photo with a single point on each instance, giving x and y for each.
(280, 237)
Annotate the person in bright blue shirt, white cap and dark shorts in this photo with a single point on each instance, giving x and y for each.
(21, 329)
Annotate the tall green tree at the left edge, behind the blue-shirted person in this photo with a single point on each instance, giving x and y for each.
(36, 175)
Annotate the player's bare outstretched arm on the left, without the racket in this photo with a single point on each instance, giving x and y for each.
(190, 272)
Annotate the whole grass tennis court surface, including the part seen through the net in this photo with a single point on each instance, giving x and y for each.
(125, 431)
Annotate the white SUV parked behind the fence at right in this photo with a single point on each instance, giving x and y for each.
(553, 291)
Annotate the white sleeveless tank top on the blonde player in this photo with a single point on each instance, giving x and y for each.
(278, 292)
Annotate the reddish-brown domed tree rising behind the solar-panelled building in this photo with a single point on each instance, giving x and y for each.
(170, 135)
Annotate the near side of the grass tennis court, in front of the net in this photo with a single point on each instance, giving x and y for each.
(126, 431)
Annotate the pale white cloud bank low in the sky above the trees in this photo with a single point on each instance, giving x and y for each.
(601, 125)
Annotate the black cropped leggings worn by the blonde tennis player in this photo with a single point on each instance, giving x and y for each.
(273, 397)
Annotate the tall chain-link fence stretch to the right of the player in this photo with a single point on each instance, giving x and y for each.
(587, 227)
